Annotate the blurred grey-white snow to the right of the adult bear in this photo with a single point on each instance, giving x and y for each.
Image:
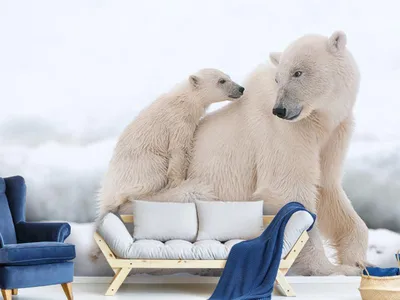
(372, 182)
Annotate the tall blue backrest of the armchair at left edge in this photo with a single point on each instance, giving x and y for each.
(12, 207)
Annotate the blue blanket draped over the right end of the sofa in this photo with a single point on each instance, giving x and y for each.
(252, 266)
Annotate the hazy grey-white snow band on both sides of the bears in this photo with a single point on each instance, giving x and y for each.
(63, 178)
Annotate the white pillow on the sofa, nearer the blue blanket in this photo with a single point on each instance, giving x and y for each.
(223, 221)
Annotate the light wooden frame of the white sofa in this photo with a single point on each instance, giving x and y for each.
(122, 267)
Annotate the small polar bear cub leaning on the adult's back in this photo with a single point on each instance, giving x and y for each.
(152, 151)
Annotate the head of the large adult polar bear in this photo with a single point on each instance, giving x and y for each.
(315, 73)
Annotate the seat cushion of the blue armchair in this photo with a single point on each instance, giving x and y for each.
(36, 253)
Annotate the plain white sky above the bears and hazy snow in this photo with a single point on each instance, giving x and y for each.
(76, 66)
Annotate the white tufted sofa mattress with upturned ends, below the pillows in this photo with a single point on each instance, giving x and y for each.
(119, 240)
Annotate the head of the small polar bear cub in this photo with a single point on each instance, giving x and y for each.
(213, 86)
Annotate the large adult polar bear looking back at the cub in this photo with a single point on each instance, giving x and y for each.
(286, 141)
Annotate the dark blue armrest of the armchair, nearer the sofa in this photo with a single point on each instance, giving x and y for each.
(42, 232)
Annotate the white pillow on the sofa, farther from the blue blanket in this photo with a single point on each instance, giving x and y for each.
(164, 221)
